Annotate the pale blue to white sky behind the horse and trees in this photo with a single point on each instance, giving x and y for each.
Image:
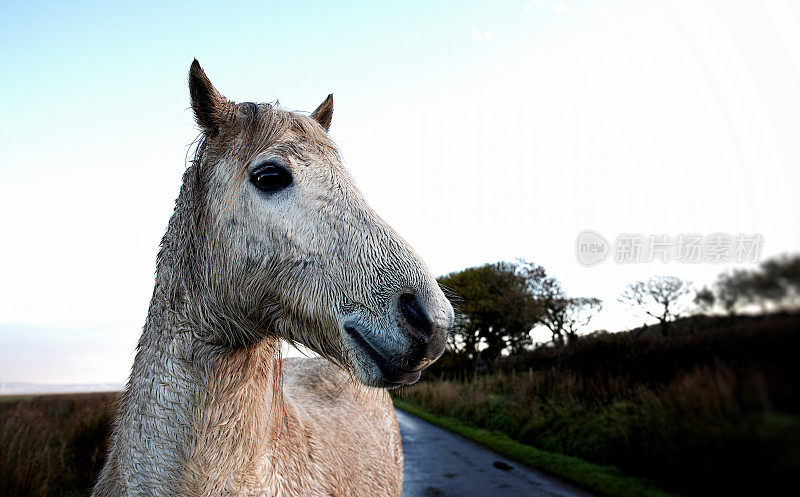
(481, 131)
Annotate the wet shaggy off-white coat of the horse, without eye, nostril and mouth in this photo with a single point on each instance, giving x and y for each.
(211, 408)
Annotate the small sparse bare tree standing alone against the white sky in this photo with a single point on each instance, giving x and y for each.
(661, 297)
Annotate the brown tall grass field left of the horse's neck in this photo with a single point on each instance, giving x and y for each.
(53, 445)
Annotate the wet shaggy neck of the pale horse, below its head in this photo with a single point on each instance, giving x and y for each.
(196, 417)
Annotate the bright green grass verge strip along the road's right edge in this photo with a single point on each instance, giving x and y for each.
(603, 480)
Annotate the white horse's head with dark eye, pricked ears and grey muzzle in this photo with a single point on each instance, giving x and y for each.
(283, 244)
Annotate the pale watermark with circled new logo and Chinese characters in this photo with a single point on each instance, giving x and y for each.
(592, 248)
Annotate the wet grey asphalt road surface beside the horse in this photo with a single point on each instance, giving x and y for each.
(441, 464)
